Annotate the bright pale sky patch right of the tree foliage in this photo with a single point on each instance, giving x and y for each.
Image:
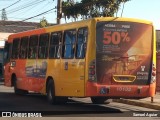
(143, 9)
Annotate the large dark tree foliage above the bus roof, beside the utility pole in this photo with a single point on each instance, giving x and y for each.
(90, 8)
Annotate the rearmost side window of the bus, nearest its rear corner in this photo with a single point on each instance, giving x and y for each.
(81, 43)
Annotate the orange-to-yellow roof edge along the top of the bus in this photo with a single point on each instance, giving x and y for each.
(72, 25)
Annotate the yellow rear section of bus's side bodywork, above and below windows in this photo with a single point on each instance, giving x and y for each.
(69, 75)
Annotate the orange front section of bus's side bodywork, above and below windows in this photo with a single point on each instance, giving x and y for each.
(19, 68)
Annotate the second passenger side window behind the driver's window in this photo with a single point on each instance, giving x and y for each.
(23, 48)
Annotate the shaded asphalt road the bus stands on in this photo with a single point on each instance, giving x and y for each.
(75, 107)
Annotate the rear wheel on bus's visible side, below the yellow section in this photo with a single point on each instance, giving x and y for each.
(51, 92)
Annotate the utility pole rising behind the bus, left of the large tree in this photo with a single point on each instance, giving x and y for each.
(59, 11)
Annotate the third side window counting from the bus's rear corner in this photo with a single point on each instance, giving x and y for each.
(55, 45)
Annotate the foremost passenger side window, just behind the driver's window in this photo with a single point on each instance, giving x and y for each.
(15, 48)
